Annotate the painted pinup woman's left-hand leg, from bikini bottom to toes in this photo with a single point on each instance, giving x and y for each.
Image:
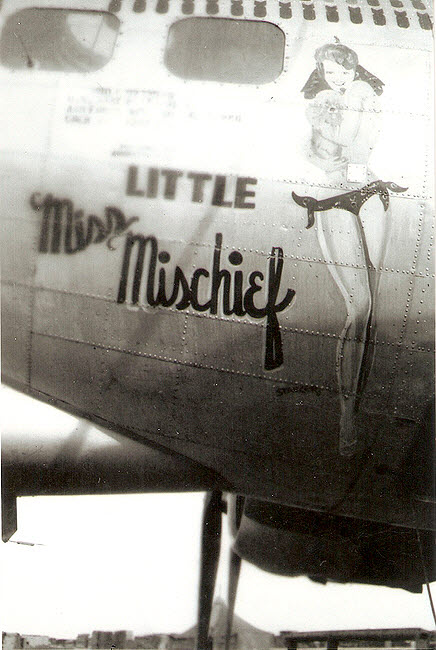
(340, 238)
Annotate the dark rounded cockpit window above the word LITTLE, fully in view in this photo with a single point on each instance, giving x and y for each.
(225, 50)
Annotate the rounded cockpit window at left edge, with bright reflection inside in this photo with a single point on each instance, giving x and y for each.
(66, 40)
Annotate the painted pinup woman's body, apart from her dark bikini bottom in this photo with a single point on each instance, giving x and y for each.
(343, 112)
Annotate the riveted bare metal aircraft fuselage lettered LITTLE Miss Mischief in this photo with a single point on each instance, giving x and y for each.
(160, 279)
